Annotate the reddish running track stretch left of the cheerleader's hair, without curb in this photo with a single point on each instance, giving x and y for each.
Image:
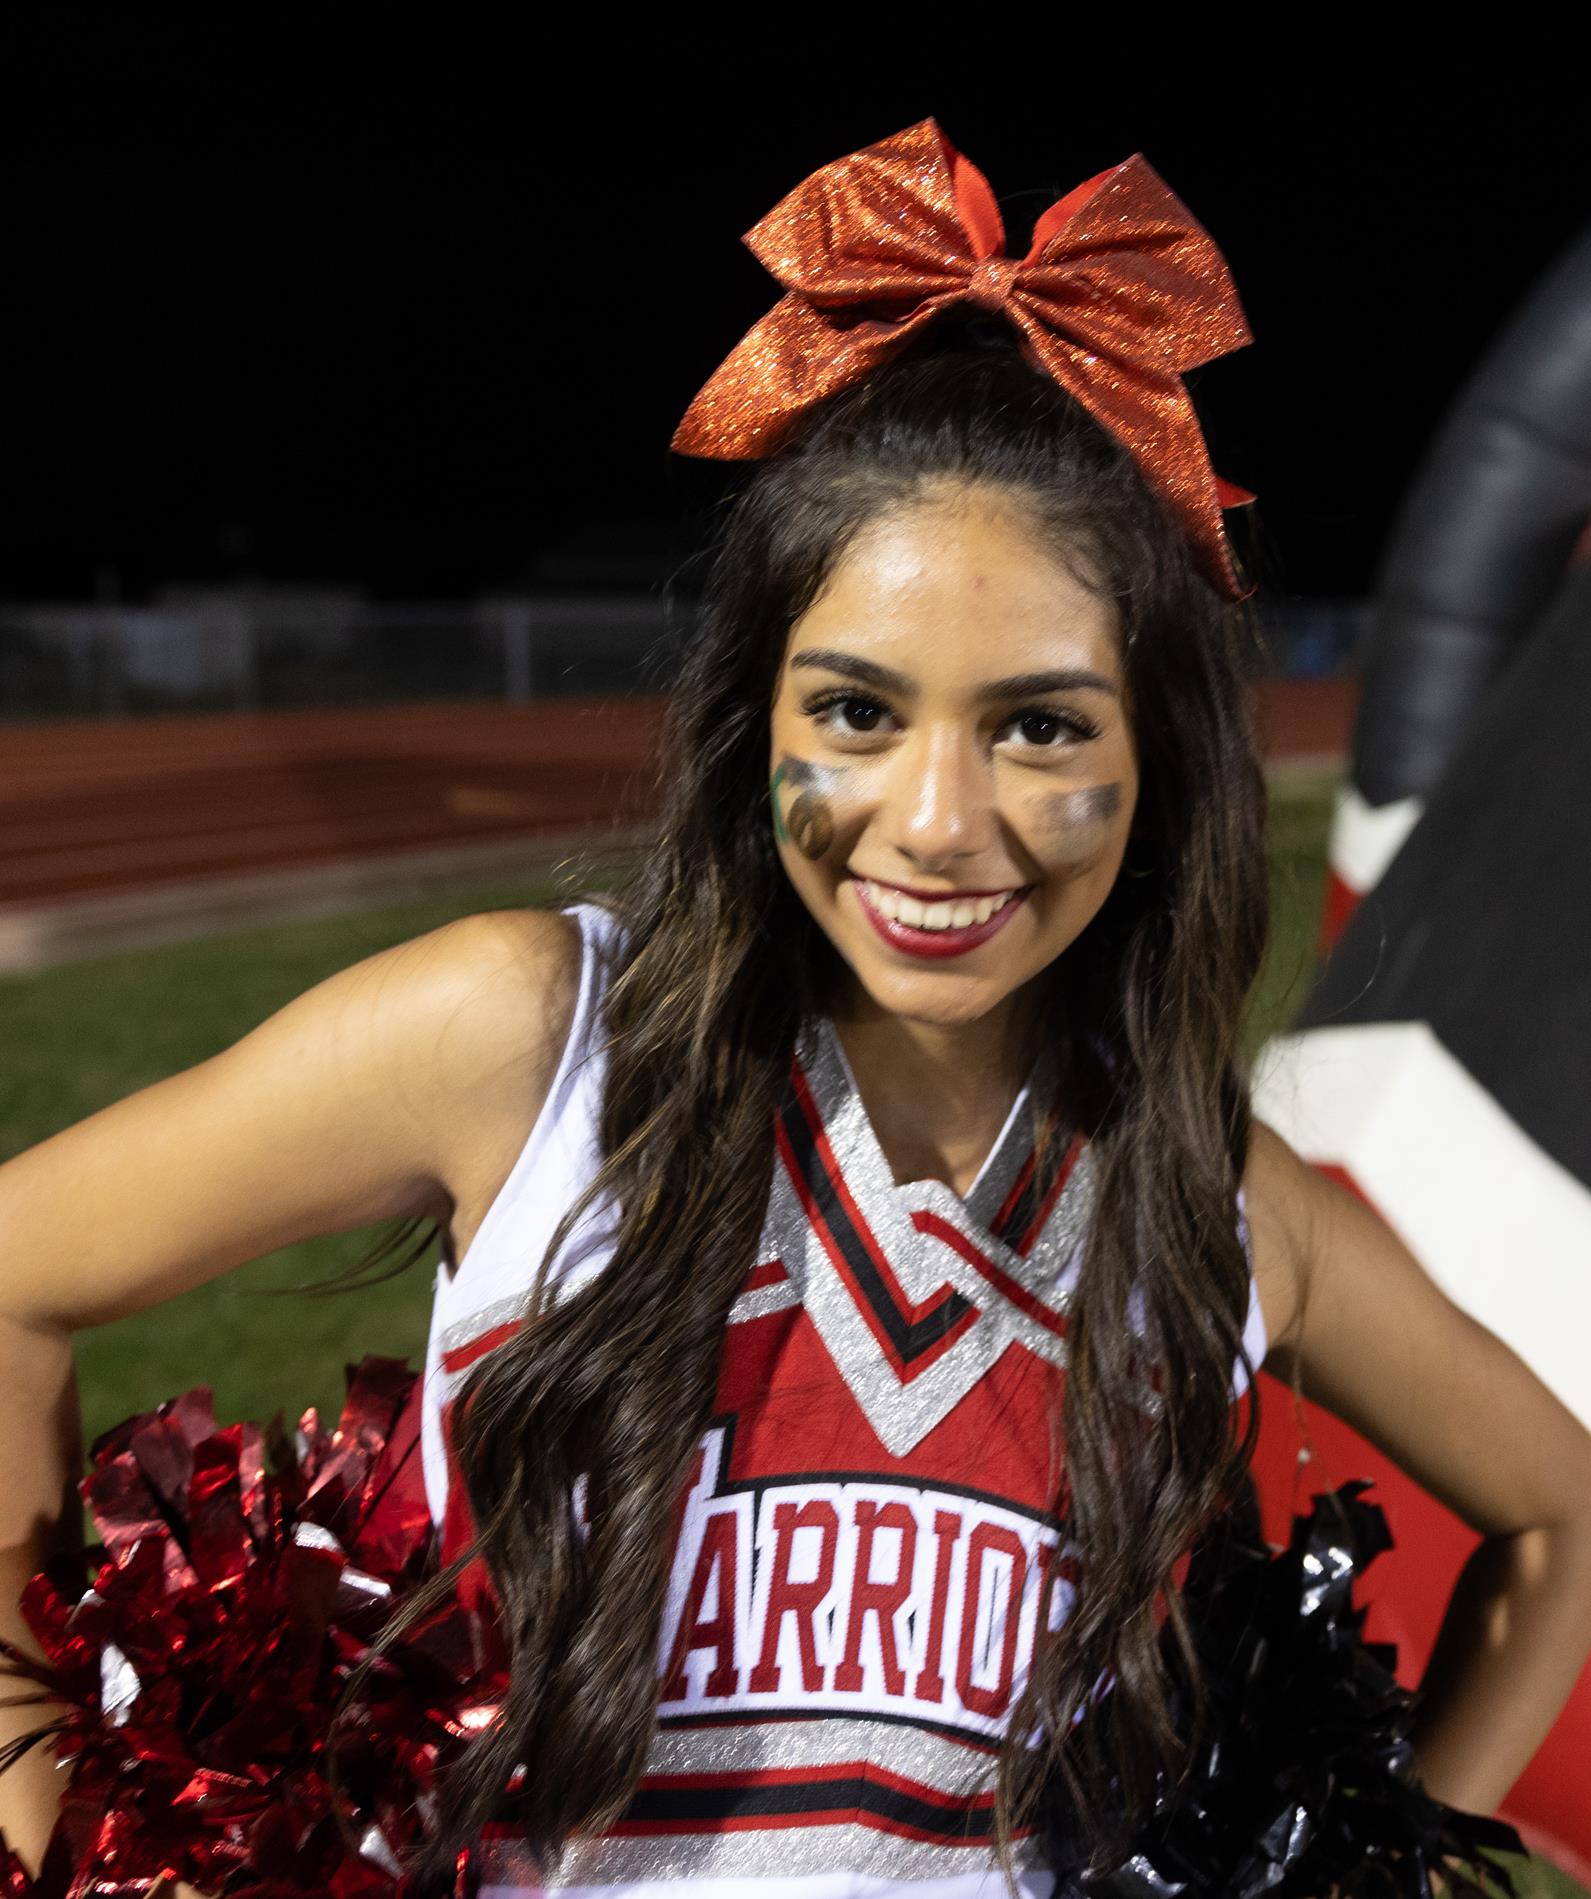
(98, 806)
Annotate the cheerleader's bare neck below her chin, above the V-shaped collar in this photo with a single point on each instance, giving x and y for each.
(937, 1095)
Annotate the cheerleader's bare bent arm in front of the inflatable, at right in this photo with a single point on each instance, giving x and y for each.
(1381, 1345)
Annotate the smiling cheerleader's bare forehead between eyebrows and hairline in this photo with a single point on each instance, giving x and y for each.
(960, 584)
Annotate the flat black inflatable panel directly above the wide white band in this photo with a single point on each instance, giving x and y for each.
(1482, 926)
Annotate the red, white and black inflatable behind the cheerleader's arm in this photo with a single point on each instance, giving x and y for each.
(1442, 1064)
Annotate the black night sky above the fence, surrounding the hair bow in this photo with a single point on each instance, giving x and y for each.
(310, 297)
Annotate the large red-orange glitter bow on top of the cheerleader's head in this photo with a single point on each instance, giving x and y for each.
(1121, 293)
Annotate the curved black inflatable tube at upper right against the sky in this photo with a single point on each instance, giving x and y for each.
(1482, 540)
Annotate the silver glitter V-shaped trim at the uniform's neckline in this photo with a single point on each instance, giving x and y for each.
(905, 1406)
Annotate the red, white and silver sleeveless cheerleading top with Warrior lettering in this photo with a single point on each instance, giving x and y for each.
(869, 1539)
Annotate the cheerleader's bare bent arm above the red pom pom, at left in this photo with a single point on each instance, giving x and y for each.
(346, 1108)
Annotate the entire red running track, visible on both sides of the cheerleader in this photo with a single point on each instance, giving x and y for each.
(109, 816)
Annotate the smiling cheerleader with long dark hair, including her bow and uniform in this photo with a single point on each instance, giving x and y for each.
(855, 1239)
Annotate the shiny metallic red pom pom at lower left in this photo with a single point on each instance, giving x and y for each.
(242, 1581)
